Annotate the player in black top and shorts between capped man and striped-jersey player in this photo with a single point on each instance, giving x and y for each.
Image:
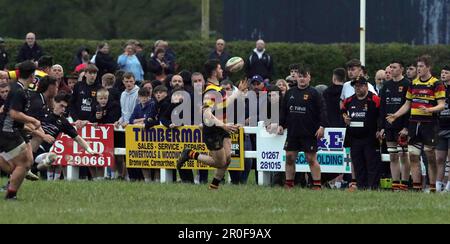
(393, 97)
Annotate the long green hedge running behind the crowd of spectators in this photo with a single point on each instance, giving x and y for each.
(322, 59)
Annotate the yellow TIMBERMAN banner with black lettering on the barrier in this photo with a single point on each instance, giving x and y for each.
(160, 147)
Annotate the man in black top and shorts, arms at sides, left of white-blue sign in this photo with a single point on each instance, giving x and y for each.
(303, 114)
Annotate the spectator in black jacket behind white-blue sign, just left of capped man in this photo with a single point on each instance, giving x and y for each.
(332, 97)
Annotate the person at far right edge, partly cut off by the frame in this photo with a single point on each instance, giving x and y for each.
(443, 146)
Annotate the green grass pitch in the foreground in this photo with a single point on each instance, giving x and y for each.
(121, 202)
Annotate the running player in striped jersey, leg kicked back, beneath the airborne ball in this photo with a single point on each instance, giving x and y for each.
(216, 130)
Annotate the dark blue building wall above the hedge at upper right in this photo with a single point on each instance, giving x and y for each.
(331, 21)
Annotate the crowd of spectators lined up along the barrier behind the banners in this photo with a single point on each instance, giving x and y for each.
(402, 111)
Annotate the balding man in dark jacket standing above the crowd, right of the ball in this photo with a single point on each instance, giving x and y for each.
(259, 62)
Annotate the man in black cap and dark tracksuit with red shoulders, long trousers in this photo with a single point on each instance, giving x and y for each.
(360, 113)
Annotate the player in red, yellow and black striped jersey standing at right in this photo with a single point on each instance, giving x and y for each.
(425, 99)
